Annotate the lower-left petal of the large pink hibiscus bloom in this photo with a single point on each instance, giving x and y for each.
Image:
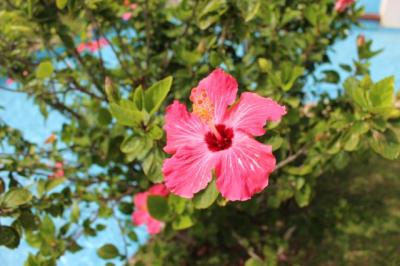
(189, 170)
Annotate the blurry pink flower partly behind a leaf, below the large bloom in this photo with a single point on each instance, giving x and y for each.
(141, 214)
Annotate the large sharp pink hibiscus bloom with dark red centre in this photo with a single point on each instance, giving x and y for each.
(216, 137)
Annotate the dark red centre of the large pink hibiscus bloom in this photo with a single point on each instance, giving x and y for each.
(221, 142)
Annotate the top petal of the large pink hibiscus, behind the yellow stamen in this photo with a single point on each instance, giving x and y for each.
(221, 89)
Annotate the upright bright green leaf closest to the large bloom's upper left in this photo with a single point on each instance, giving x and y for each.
(156, 94)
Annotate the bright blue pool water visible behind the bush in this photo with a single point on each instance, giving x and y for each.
(21, 113)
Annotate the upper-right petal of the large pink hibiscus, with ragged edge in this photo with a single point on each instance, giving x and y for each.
(252, 112)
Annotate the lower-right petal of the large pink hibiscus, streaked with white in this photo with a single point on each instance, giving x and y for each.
(243, 170)
